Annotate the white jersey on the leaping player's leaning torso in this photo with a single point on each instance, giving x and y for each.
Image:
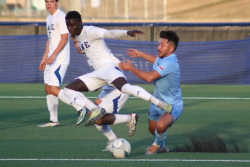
(93, 46)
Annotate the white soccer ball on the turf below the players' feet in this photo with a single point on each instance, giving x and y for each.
(120, 148)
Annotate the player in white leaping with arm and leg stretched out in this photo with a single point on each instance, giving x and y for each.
(105, 65)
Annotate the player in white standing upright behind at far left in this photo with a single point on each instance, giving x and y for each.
(55, 61)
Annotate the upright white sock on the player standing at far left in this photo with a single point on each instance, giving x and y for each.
(52, 103)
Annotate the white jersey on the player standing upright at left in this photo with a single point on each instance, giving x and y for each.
(56, 26)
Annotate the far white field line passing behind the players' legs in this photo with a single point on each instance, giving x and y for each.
(187, 98)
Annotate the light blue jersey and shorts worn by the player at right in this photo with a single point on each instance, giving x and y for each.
(167, 88)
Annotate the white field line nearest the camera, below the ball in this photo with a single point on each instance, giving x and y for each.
(130, 160)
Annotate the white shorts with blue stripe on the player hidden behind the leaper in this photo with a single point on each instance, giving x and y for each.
(113, 101)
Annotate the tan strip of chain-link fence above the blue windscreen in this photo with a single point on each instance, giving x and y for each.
(188, 32)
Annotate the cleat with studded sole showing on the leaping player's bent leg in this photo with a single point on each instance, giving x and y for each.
(96, 113)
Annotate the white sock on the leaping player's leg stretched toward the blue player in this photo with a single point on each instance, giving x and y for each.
(140, 93)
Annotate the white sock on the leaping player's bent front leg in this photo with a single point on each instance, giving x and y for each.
(79, 99)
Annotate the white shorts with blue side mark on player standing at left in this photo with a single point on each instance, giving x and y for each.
(54, 74)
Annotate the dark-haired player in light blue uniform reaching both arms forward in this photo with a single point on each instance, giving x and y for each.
(166, 77)
